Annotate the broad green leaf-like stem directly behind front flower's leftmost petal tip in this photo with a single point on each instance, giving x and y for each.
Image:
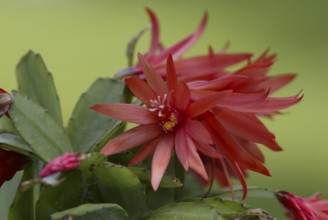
(86, 127)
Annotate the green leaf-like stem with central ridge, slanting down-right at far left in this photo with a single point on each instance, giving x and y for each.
(43, 134)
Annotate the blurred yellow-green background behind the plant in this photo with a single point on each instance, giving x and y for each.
(81, 40)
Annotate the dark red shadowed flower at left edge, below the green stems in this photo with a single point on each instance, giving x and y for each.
(11, 162)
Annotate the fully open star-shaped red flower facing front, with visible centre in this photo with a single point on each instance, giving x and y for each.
(168, 123)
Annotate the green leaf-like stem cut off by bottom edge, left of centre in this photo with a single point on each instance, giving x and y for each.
(92, 212)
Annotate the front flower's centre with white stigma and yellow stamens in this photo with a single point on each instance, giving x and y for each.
(167, 116)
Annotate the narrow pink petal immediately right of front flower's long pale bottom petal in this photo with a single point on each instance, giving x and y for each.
(181, 149)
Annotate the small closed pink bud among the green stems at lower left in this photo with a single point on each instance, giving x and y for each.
(66, 162)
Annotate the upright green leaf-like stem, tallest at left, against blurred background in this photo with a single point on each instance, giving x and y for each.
(35, 81)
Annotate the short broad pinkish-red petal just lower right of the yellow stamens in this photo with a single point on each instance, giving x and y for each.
(197, 131)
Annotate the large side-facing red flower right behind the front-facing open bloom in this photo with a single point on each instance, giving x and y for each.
(234, 124)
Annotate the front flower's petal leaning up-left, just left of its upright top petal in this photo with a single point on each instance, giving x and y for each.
(154, 81)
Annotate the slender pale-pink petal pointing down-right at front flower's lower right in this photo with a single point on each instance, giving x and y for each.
(194, 160)
